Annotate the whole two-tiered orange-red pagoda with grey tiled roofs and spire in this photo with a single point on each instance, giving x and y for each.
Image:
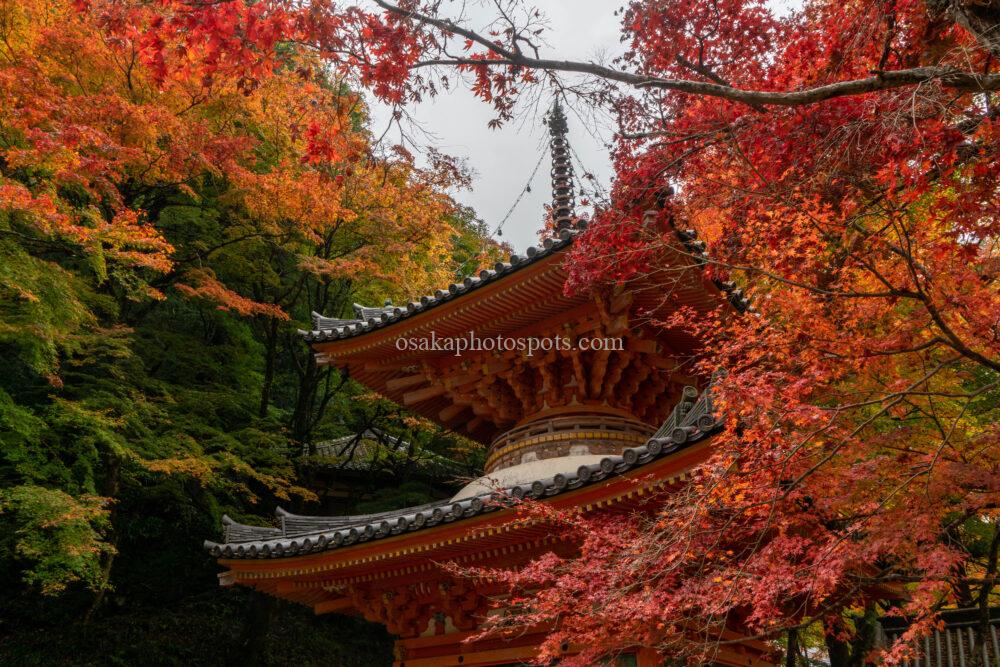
(602, 419)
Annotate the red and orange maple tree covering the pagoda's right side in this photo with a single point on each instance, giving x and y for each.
(841, 163)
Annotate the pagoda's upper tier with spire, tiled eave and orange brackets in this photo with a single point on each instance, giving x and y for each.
(503, 397)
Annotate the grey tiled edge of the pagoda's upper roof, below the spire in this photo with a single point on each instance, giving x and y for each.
(369, 319)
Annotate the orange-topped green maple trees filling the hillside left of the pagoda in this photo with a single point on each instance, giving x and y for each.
(166, 225)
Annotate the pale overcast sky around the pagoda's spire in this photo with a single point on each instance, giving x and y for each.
(503, 159)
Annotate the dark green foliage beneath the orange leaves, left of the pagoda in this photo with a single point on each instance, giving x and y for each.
(129, 425)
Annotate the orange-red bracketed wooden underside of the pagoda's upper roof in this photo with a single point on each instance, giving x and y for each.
(482, 394)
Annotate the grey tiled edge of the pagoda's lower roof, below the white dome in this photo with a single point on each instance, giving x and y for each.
(688, 423)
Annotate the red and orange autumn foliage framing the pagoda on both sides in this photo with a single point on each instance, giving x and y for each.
(839, 160)
